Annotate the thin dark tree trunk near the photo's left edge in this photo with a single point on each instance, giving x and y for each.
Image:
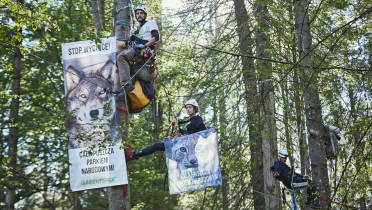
(13, 129)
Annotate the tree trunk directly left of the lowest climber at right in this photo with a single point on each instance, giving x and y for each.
(267, 110)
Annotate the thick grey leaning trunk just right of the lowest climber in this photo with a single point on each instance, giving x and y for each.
(313, 109)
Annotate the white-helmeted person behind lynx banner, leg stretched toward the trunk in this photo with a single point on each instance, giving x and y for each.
(195, 124)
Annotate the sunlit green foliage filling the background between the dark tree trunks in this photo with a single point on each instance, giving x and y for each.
(216, 80)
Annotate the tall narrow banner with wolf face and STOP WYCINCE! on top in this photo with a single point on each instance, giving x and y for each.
(94, 141)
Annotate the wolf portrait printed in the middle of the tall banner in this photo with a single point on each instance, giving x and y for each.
(92, 114)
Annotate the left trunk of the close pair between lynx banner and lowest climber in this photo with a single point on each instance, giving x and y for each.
(250, 84)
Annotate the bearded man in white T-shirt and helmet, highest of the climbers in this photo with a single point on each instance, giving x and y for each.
(146, 35)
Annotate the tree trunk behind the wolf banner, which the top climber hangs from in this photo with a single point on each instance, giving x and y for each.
(118, 200)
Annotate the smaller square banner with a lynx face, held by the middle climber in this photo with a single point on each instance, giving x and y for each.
(193, 162)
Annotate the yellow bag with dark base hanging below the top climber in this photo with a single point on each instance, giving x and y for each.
(138, 99)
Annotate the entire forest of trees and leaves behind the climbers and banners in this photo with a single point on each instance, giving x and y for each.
(269, 74)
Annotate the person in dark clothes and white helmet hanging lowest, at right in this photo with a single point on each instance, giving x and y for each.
(284, 173)
